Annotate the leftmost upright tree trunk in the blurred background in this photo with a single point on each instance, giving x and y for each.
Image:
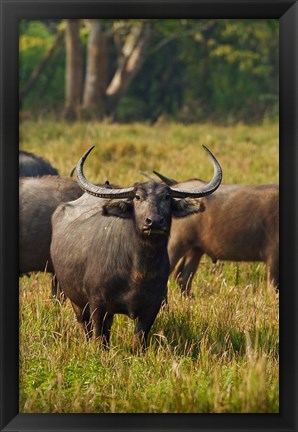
(73, 72)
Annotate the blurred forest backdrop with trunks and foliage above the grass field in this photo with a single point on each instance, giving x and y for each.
(184, 70)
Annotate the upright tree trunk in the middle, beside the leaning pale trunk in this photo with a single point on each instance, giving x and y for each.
(96, 73)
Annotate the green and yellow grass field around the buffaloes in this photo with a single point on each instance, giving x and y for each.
(216, 353)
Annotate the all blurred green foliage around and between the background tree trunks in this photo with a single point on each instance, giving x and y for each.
(225, 70)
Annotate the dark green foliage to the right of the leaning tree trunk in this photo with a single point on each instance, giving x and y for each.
(226, 70)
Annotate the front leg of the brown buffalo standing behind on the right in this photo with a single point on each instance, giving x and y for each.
(187, 268)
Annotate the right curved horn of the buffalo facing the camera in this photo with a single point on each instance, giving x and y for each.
(207, 189)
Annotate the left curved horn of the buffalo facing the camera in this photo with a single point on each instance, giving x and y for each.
(98, 191)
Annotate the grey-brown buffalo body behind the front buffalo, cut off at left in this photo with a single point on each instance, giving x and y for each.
(38, 199)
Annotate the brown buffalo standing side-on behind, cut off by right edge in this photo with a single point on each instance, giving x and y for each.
(241, 223)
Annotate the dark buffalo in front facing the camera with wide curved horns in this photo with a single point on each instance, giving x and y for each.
(109, 250)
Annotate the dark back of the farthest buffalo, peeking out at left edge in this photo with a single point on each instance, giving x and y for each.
(31, 165)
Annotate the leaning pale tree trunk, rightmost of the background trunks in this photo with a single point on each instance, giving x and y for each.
(132, 57)
